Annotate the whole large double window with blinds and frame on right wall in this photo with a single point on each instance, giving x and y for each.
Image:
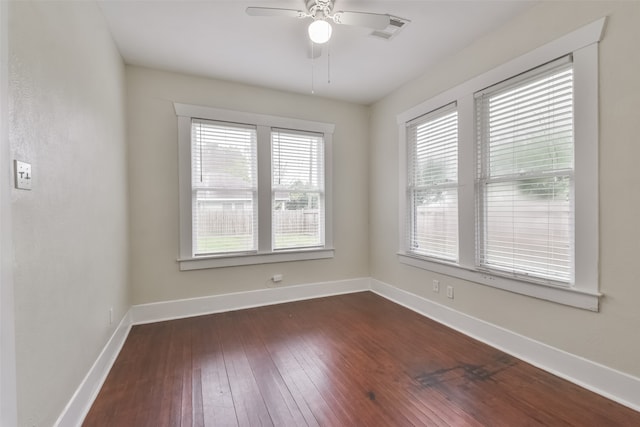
(508, 163)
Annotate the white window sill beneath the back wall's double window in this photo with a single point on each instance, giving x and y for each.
(199, 263)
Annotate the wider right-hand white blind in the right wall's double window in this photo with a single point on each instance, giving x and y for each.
(525, 216)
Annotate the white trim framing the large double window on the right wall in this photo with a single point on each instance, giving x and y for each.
(583, 45)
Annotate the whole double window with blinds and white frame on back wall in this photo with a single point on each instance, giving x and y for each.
(253, 188)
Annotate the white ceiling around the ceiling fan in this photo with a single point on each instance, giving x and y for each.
(216, 38)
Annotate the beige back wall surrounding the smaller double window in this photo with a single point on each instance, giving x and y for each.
(153, 171)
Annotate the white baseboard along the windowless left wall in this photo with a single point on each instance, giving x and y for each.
(81, 401)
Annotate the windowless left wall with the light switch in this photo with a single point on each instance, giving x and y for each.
(67, 118)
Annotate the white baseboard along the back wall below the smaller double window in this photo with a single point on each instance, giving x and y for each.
(155, 312)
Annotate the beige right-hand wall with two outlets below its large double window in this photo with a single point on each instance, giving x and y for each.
(608, 337)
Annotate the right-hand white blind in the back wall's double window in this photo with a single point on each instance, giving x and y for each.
(298, 207)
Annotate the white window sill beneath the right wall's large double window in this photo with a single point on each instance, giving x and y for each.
(567, 296)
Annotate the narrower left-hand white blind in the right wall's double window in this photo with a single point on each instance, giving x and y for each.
(432, 190)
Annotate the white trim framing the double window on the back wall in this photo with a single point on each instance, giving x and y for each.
(263, 123)
